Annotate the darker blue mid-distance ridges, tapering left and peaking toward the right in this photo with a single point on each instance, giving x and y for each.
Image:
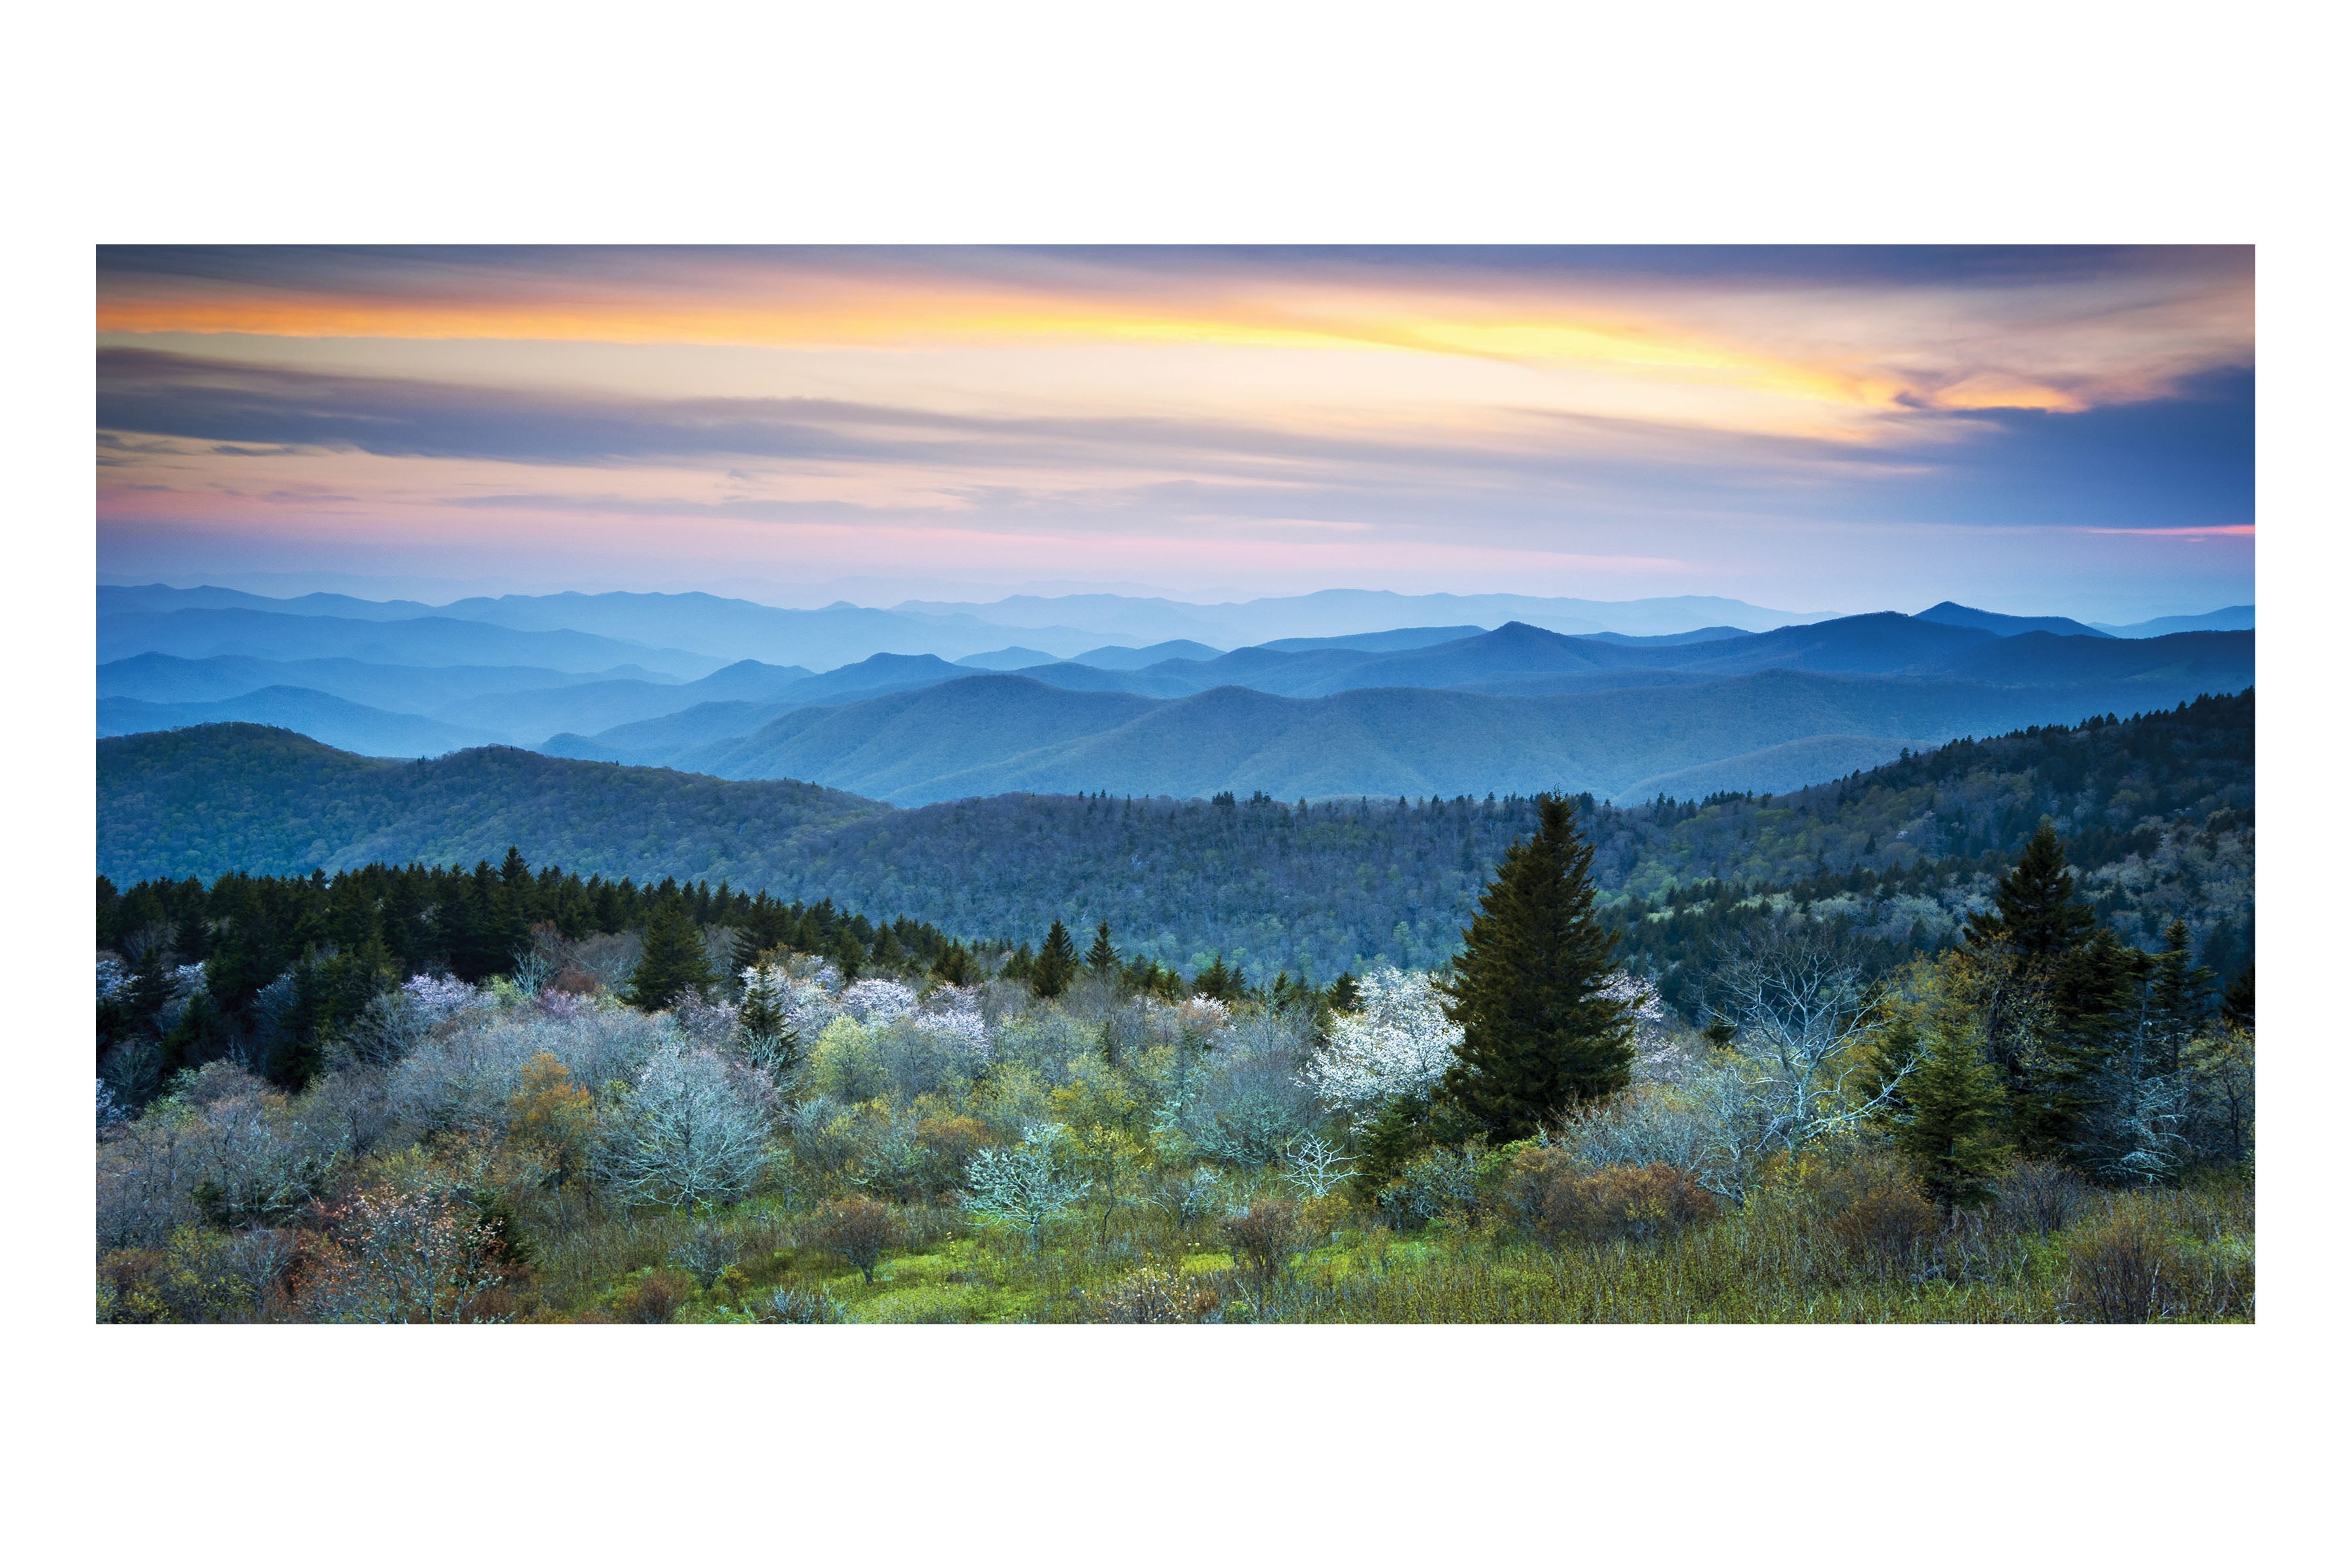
(1516, 709)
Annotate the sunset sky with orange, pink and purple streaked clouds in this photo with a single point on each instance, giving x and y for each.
(2024, 429)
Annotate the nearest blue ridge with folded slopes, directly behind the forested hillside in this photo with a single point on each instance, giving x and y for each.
(1005, 732)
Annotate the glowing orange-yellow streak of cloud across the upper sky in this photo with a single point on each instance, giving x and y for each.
(1775, 373)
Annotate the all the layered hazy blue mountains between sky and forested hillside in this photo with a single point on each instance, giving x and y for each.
(1398, 711)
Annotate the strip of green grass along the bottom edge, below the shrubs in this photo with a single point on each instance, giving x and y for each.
(1777, 1261)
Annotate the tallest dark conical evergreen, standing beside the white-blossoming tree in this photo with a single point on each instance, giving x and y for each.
(1528, 989)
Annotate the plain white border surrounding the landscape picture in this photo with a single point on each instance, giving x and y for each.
(1137, 123)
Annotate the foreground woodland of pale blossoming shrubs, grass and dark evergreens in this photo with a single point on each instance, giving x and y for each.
(495, 1094)
